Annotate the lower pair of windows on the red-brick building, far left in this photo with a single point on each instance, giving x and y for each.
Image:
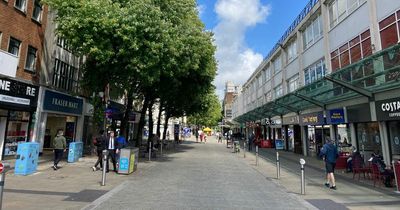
(14, 46)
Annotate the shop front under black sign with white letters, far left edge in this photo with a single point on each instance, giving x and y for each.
(18, 101)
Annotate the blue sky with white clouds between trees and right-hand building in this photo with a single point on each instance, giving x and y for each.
(245, 31)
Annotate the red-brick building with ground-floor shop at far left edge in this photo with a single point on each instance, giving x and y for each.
(22, 27)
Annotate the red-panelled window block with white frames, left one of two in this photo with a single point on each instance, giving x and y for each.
(352, 51)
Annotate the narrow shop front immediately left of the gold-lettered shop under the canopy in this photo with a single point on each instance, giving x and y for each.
(292, 134)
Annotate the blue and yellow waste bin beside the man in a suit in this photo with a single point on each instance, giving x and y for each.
(128, 158)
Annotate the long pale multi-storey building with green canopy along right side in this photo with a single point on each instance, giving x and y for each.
(333, 74)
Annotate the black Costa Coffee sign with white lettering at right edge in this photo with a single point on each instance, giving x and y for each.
(388, 109)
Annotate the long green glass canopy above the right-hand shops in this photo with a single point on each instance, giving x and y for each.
(365, 78)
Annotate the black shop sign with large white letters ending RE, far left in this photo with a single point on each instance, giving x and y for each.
(19, 93)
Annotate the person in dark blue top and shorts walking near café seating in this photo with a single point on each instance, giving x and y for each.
(329, 153)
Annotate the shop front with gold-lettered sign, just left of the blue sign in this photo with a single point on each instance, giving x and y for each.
(315, 130)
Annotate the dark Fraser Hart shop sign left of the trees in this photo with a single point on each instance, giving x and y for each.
(58, 102)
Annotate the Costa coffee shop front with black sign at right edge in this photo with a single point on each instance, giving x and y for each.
(388, 111)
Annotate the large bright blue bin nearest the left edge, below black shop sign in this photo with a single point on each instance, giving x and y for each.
(27, 158)
